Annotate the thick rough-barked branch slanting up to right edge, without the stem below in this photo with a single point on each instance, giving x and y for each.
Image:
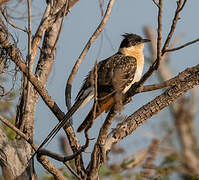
(186, 80)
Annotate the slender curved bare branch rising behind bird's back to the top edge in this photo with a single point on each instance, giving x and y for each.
(84, 52)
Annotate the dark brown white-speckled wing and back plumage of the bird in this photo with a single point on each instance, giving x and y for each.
(106, 72)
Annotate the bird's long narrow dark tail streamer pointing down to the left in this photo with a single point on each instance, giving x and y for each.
(61, 124)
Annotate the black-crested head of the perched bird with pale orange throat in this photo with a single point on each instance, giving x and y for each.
(132, 43)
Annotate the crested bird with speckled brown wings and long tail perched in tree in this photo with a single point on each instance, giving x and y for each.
(114, 74)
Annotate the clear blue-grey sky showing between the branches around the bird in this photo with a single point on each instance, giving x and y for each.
(128, 16)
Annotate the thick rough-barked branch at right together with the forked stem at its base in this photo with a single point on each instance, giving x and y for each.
(186, 80)
